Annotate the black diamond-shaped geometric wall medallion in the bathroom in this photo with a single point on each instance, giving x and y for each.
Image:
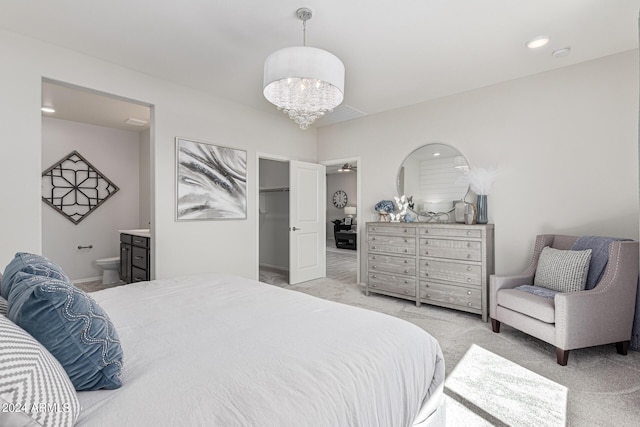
(75, 188)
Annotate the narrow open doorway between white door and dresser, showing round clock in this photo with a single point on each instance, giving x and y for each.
(343, 231)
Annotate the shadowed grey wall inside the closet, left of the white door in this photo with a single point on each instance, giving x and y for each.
(274, 214)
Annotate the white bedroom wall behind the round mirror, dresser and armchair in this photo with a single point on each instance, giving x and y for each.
(565, 141)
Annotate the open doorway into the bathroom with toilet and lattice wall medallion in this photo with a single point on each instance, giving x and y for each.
(112, 136)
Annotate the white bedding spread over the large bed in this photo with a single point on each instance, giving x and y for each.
(215, 350)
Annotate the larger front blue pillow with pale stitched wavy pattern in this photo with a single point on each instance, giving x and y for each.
(70, 324)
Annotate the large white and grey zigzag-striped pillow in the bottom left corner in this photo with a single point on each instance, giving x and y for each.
(34, 388)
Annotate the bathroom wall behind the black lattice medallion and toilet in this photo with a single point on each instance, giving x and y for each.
(114, 153)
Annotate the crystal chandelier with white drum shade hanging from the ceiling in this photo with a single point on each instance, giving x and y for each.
(304, 82)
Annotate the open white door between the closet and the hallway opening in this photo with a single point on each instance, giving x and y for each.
(307, 229)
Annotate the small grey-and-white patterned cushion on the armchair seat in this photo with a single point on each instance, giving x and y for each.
(562, 271)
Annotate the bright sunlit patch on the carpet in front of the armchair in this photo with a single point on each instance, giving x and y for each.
(505, 393)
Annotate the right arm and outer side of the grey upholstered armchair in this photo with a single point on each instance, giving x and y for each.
(604, 314)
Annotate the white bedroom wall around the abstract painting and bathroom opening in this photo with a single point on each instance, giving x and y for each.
(178, 247)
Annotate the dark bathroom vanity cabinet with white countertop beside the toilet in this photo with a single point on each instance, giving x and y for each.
(135, 260)
